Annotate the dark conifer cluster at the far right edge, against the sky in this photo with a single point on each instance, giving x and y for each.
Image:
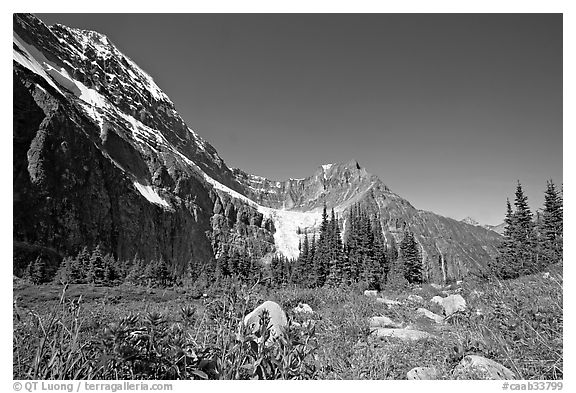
(531, 242)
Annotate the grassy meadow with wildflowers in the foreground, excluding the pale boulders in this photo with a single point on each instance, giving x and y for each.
(128, 332)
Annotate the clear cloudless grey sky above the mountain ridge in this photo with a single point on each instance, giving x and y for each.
(449, 110)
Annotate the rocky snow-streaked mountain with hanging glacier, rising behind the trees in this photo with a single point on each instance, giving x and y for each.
(101, 156)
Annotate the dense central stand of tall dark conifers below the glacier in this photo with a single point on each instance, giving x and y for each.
(363, 257)
